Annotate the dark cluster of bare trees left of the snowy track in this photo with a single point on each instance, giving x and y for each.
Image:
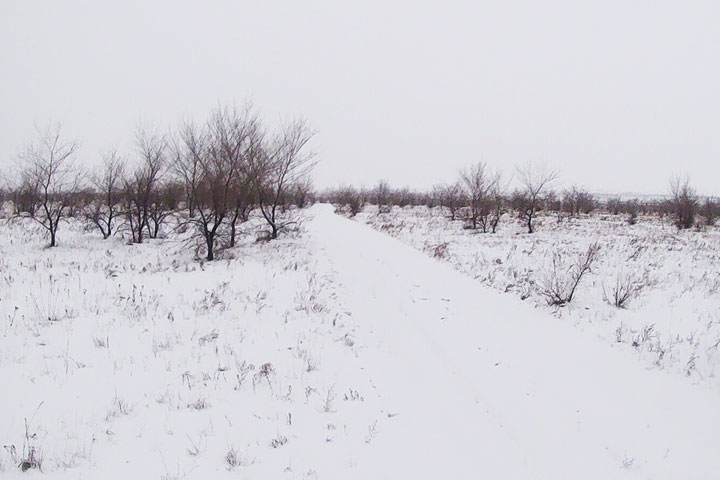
(209, 175)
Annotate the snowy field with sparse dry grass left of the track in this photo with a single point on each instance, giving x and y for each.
(137, 361)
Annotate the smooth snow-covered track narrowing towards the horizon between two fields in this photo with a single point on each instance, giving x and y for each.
(479, 385)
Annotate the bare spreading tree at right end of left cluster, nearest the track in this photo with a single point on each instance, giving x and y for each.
(277, 166)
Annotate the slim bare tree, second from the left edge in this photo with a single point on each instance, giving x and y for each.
(105, 210)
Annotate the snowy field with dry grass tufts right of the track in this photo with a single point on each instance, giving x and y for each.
(671, 322)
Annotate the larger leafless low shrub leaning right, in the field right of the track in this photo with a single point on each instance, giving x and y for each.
(561, 283)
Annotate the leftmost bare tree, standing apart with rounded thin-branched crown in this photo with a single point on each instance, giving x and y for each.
(49, 176)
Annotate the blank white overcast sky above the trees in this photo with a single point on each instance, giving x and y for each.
(617, 95)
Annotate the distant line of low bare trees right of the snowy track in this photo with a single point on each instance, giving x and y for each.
(480, 198)
